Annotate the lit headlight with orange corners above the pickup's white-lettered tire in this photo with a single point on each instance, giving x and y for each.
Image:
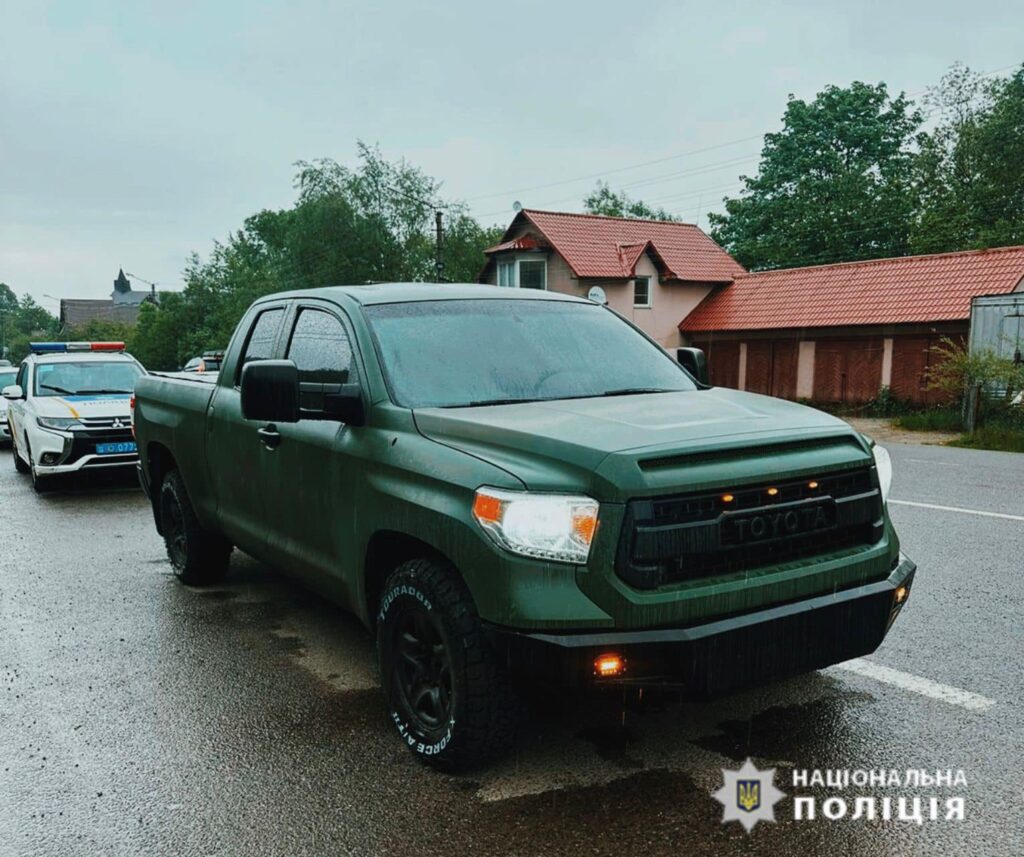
(543, 526)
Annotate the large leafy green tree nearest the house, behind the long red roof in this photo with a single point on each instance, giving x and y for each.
(835, 185)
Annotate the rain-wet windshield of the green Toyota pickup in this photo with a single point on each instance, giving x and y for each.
(466, 353)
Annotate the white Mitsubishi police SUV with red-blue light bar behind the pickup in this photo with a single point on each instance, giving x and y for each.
(69, 409)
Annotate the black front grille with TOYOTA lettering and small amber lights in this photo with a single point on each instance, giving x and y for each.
(690, 537)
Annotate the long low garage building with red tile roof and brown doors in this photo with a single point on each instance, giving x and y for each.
(840, 333)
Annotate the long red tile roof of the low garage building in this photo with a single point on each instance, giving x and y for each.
(913, 289)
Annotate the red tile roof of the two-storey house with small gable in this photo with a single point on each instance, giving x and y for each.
(610, 247)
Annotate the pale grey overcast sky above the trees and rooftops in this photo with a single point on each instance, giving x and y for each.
(133, 135)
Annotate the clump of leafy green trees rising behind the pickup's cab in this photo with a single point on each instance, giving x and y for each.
(371, 224)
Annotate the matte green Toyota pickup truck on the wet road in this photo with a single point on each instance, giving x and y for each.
(513, 486)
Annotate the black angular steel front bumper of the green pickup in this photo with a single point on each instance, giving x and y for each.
(726, 656)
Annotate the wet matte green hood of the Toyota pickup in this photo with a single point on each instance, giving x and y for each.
(618, 448)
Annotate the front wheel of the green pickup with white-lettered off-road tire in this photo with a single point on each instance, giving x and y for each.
(480, 719)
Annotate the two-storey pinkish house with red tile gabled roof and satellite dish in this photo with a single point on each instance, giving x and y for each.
(653, 272)
